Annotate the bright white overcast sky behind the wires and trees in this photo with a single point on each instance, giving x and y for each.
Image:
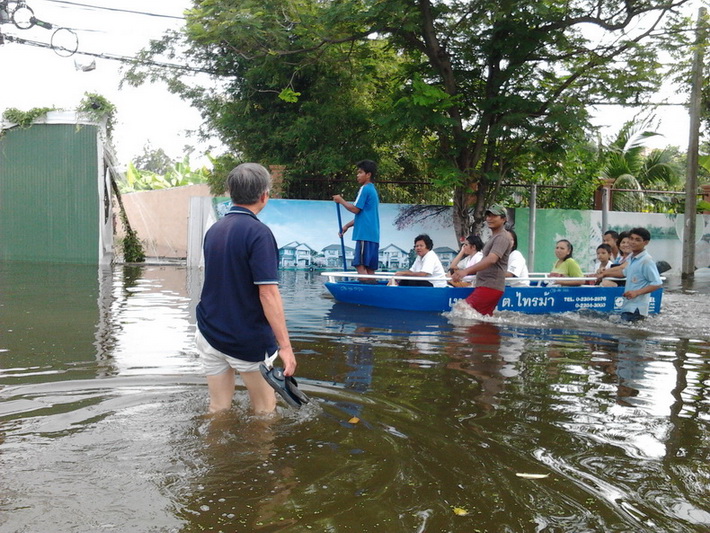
(36, 77)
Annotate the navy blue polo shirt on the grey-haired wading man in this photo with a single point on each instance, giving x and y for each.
(240, 254)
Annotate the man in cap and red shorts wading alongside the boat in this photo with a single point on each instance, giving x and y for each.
(491, 270)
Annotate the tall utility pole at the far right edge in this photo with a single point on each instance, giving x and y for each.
(691, 182)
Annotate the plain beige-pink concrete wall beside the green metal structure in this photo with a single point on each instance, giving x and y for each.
(160, 218)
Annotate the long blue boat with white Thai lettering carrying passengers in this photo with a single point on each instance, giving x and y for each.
(534, 300)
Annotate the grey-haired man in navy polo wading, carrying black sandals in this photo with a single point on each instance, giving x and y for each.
(240, 317)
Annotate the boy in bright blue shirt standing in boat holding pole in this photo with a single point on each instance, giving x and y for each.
(367, 219)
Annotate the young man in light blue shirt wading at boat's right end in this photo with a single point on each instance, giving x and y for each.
(642, 277)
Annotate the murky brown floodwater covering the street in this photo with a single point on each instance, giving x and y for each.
(419, 422)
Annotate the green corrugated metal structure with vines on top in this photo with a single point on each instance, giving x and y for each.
(55, 191)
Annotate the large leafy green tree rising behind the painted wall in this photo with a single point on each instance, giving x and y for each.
(474, 87)
